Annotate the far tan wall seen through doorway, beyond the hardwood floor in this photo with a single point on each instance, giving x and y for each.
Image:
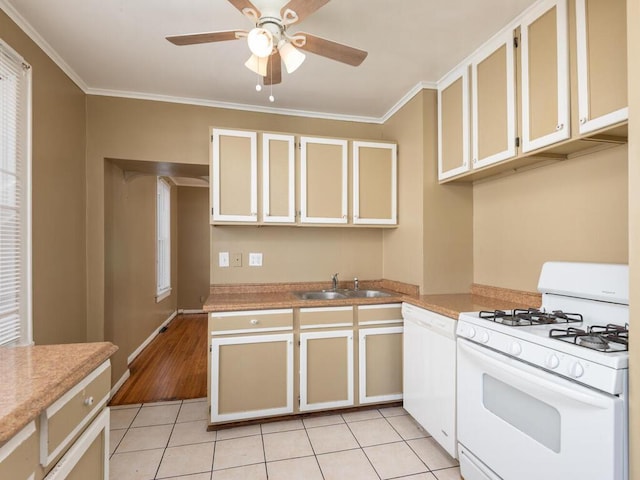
(193, 246)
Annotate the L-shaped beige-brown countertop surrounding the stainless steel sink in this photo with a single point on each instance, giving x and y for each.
(268, 296)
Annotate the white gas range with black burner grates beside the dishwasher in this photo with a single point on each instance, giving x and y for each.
(543, 393)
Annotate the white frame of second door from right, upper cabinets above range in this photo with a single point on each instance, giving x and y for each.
(563, 128)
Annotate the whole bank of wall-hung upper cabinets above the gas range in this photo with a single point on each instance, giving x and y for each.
(550, 84)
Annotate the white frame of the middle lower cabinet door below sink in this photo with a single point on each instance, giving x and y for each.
(304, 338)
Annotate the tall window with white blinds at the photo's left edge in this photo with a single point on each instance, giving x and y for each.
(15, 198)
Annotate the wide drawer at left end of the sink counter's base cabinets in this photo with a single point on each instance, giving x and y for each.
(251, 321)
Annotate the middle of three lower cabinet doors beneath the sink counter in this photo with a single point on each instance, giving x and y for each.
(326, 369)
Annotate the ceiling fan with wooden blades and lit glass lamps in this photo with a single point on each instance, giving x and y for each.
(269, 41)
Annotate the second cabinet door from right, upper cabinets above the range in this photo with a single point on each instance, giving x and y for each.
(545, 75)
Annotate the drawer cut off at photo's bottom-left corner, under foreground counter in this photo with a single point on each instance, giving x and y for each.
(18, 456)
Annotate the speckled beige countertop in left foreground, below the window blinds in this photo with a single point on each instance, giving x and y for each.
(32, 378)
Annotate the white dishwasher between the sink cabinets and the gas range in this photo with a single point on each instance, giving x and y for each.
(429, 373)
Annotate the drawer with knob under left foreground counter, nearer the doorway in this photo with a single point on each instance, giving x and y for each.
(71, 413)
